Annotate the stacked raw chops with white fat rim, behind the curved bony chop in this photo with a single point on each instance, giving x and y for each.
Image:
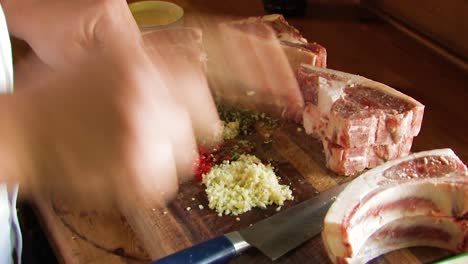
(361, 123)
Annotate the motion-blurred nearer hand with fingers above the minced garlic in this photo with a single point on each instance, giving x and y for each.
(119, 128)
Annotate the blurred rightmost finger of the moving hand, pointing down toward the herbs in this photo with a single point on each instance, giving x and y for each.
(178, 56)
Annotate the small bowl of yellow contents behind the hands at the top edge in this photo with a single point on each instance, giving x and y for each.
(156, 14)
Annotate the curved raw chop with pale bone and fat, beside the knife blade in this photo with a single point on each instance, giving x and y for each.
(418, 200)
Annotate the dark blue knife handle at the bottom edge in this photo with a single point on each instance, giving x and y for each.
(216, 250)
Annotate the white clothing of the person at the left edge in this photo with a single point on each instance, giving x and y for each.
(10, 233)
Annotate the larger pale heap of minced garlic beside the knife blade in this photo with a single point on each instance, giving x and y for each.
(235, 187)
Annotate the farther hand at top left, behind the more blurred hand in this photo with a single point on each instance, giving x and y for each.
(62, 32)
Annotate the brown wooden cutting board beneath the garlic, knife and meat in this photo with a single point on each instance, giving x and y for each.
(97, 237)
